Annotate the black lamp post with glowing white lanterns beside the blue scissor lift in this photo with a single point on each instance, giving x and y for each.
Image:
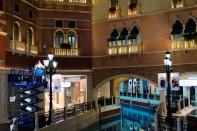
(50, 65)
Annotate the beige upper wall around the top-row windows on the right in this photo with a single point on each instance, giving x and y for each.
(101, 7)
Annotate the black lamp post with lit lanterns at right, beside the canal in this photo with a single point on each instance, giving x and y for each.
(168, 65)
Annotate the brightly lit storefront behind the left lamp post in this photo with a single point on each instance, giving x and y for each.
(67, 90)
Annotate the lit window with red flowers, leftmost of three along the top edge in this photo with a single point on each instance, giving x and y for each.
(113, 11)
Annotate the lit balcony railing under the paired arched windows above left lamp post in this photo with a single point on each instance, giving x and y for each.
(64, 52)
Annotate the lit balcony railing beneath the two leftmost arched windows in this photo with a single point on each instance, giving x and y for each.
(22, 47)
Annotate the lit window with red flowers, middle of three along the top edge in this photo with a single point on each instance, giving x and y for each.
(133, 7)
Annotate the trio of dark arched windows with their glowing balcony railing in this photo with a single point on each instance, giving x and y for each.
(126, 43)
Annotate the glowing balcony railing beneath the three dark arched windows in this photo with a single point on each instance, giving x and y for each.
(124, 49)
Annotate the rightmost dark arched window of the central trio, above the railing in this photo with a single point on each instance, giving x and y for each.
(134, 35)
